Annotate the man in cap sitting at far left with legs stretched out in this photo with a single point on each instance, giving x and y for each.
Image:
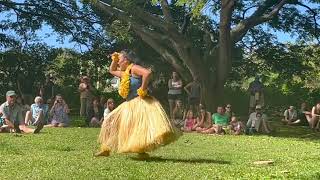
(12, 115)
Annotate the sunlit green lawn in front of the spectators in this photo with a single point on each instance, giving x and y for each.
(68, 154)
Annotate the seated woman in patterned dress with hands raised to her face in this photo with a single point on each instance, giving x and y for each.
(59, 113)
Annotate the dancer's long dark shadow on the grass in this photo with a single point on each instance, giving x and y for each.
(191, 161)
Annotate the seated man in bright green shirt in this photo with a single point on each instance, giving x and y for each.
(219, 121)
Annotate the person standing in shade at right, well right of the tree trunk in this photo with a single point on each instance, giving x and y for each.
(256, 89)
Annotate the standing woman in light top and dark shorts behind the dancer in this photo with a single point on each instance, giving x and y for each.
(175, 91)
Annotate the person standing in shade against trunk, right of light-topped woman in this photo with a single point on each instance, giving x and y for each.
(193, 90)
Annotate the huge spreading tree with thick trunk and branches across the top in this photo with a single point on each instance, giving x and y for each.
(198, 38)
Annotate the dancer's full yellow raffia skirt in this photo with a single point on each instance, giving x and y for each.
(137, 126)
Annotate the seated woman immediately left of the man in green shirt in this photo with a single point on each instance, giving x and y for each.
(204, 120)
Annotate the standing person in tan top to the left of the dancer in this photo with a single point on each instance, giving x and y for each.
(85, 97)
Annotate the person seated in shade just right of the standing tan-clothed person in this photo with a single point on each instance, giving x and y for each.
(96, 113)
